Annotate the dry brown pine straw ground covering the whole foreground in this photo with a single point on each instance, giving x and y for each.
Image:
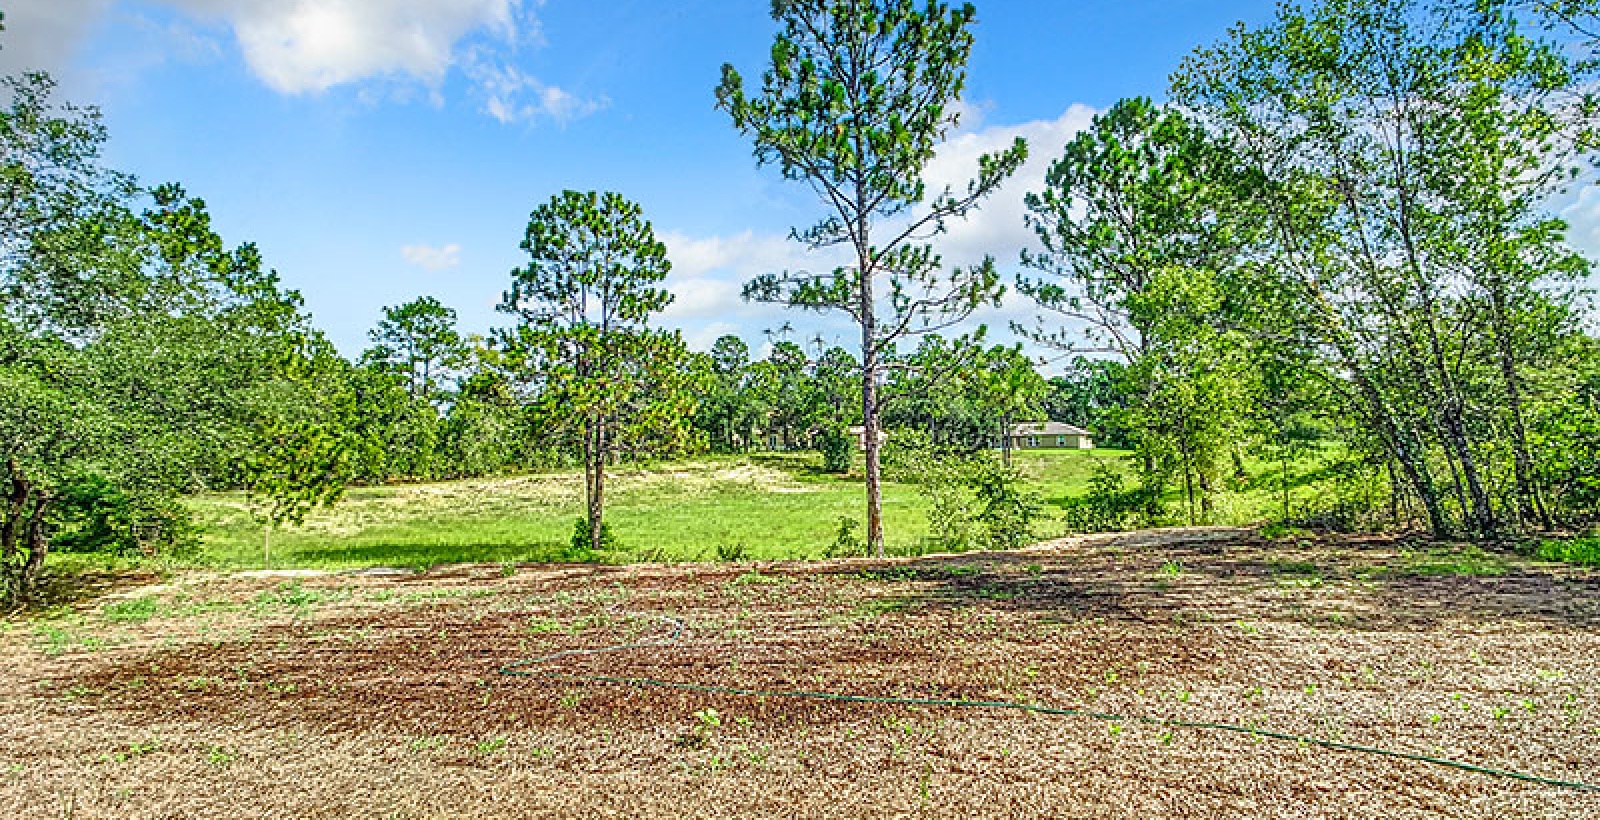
(380, 696)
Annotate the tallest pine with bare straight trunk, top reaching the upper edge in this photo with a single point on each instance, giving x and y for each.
(855, 103)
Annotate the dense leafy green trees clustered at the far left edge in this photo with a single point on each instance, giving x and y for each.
(135, 348)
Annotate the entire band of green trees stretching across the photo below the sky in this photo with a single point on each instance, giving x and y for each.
(1337, 236)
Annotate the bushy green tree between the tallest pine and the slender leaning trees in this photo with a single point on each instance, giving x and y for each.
(1143, 236)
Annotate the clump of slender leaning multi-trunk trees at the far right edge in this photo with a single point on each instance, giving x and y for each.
(1407, 257)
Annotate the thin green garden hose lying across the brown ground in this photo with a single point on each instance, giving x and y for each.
(524, 669)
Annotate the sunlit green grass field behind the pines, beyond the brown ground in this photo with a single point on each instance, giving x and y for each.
(774, 505)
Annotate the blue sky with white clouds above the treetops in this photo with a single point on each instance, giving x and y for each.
(385, 150)
